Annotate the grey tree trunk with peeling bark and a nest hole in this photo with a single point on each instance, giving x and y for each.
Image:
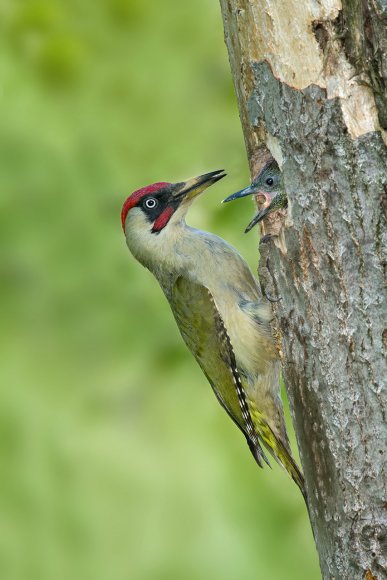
(310, 87)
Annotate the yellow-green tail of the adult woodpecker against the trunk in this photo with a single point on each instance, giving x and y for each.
(278, 450)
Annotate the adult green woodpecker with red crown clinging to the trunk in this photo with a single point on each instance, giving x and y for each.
(219, 309)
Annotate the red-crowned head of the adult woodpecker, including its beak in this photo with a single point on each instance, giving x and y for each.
(148, 214)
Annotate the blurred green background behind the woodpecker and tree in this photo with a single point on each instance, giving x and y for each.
(117, 462)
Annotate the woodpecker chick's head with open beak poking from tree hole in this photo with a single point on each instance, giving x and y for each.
(268, 184)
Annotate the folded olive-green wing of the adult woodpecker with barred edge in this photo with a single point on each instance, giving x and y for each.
(204, 333)
